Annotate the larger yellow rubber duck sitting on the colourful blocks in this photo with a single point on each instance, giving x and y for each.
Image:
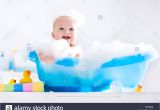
(26, 77)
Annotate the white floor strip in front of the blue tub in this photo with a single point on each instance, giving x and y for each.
(79, 97)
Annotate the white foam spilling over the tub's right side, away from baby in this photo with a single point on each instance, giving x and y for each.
(100, 53)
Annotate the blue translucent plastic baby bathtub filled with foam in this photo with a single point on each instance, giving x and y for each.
(63, 76)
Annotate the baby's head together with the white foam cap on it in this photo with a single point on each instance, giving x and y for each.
(65, 26)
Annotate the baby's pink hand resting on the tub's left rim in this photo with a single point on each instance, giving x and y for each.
(47, 58)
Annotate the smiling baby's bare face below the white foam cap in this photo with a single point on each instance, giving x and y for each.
(64, 28)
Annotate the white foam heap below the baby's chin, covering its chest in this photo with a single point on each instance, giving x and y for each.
(58, 48)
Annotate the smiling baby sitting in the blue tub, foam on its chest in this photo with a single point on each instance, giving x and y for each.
(64, 40)
